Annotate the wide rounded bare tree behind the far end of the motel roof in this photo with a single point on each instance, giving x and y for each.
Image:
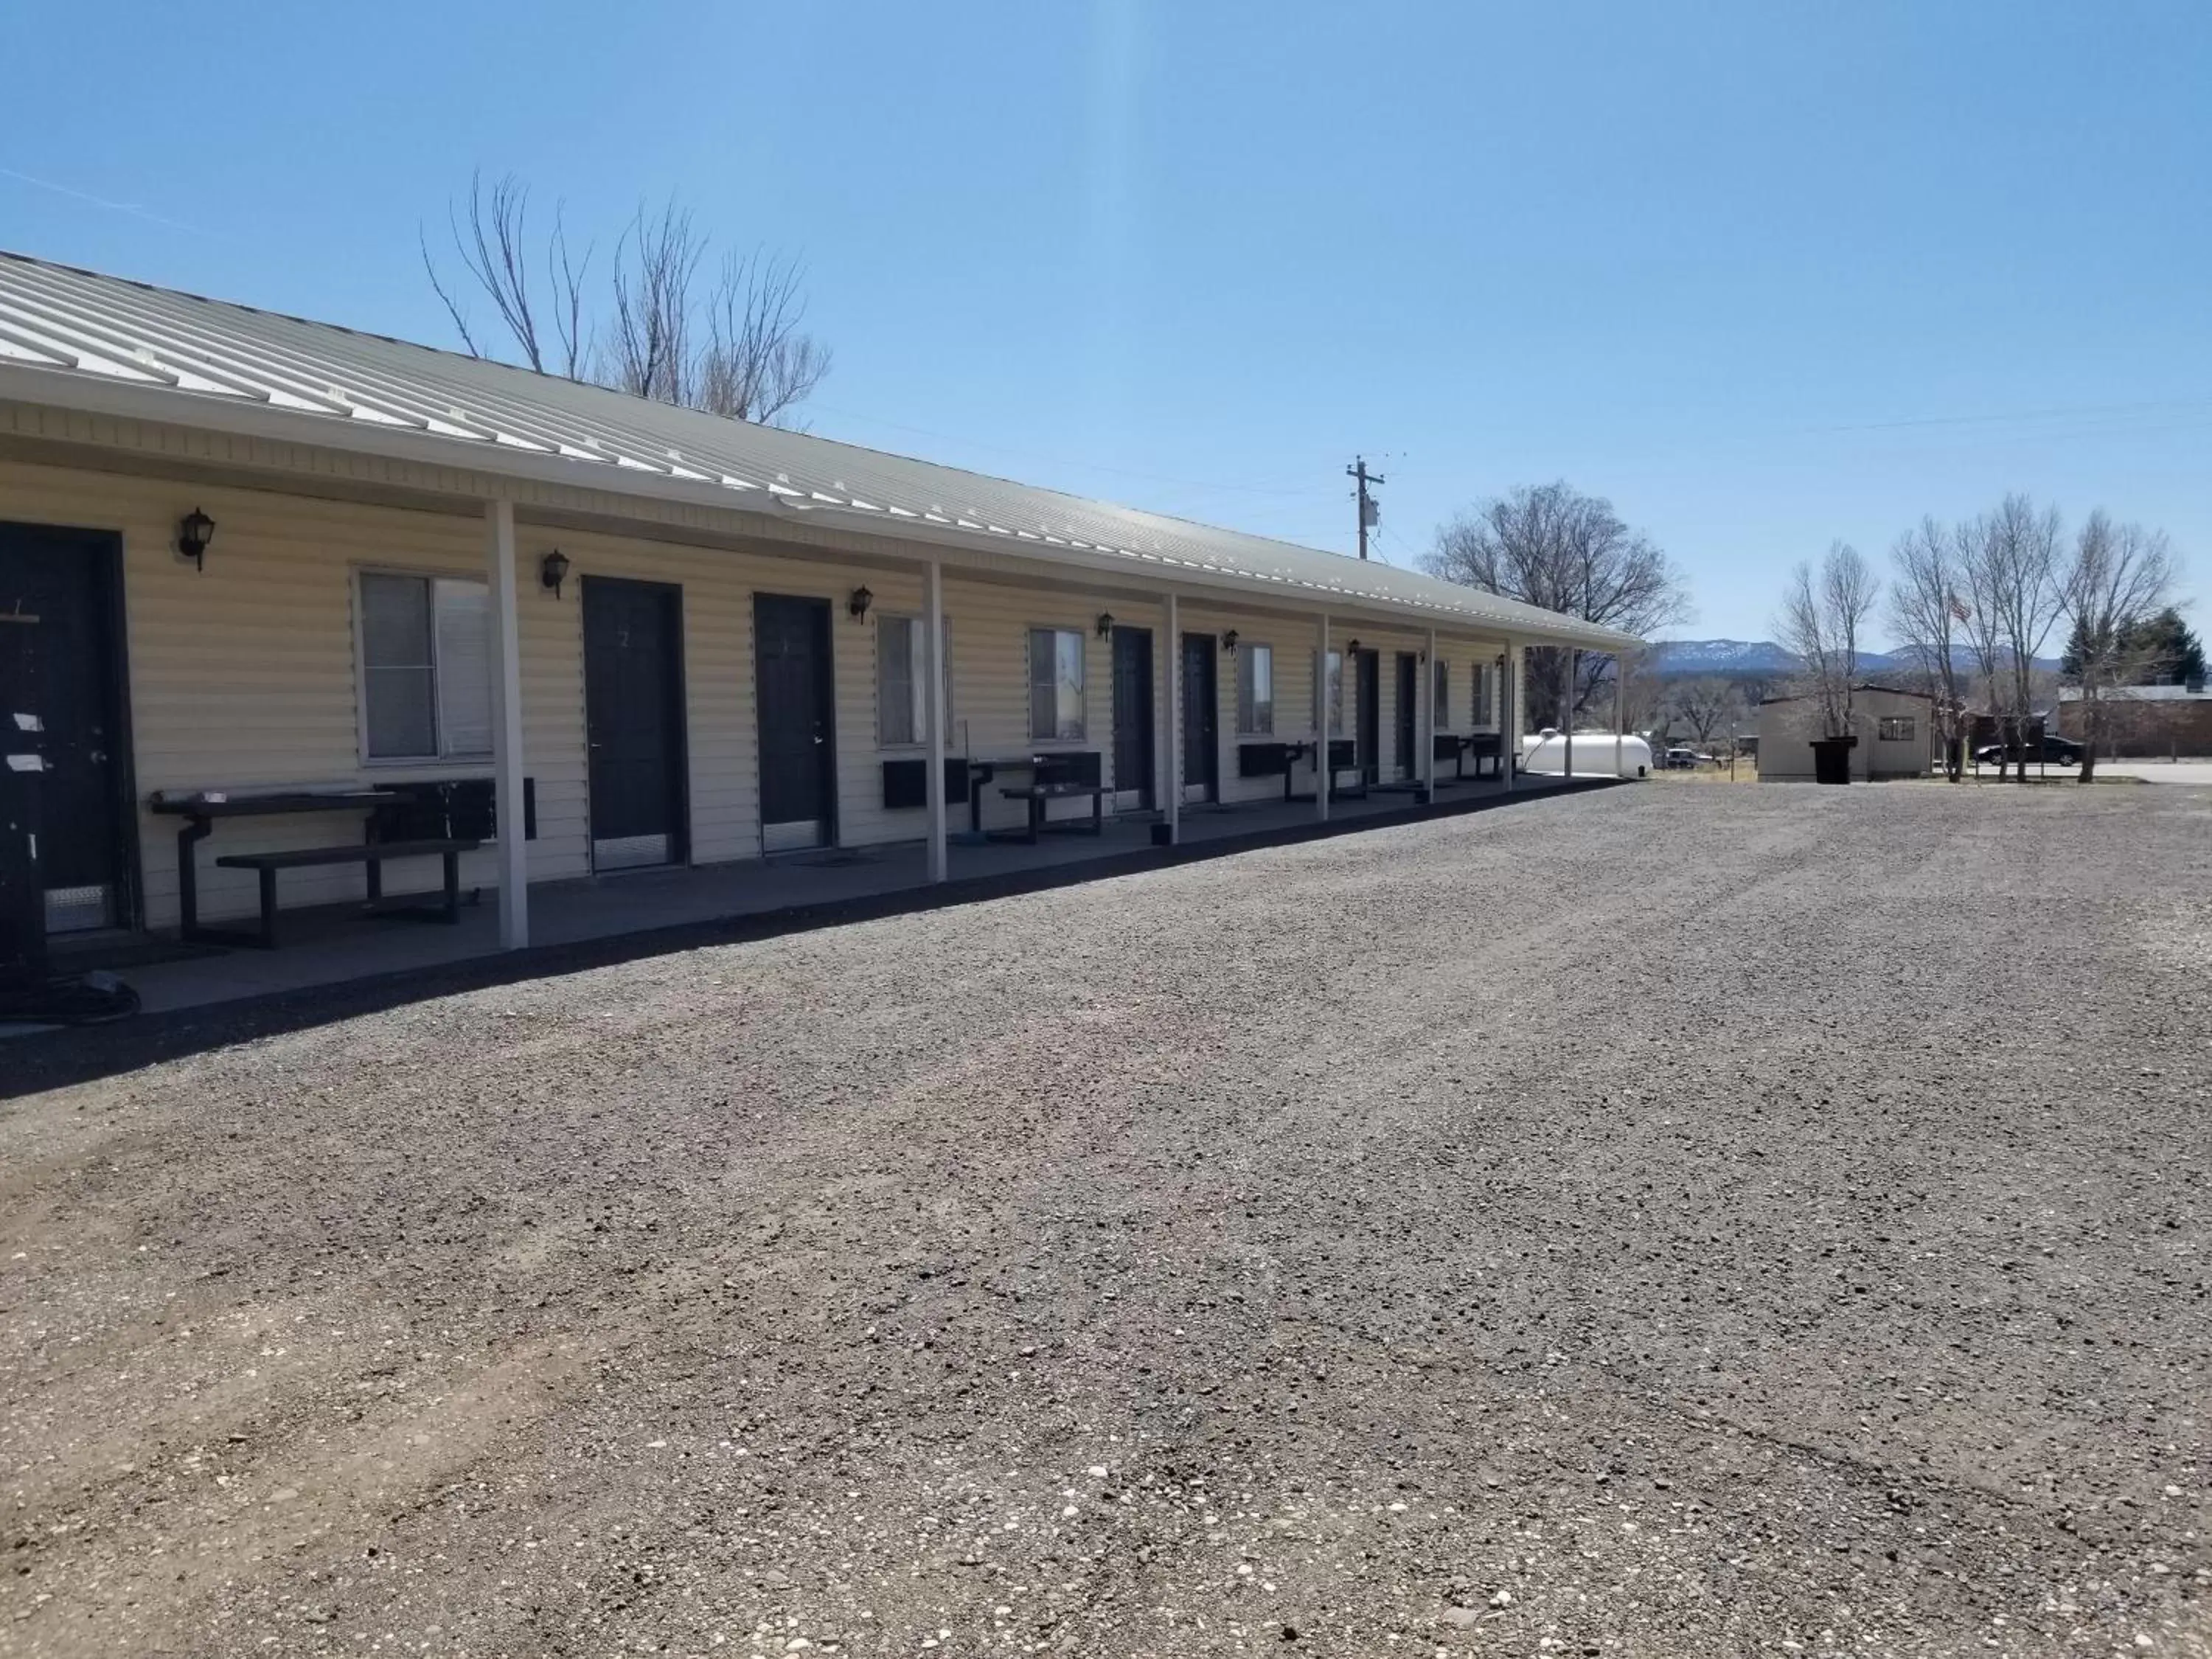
(1565, 552)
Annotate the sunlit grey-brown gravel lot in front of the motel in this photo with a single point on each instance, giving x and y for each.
(1264, 1255)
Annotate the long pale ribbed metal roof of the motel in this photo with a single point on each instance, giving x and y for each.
(67, 335)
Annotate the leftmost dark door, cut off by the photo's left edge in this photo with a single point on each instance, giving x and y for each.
(63, 716)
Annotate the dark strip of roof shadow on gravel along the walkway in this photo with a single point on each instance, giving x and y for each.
(59, 1058)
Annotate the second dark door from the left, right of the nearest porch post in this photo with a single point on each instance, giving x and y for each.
(634, 720)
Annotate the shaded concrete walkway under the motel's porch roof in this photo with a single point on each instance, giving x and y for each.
(333, 946)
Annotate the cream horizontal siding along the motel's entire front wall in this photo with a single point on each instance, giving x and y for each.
(247, 676)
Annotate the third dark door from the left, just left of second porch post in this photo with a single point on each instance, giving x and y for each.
(791, 645)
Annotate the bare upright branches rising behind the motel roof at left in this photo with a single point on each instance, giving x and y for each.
(735, 348)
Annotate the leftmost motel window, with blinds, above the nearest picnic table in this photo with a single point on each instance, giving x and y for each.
(426, 667)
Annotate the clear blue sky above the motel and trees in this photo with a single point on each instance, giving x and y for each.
(1766, 275)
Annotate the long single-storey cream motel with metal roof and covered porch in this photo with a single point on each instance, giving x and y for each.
(275, 592)
